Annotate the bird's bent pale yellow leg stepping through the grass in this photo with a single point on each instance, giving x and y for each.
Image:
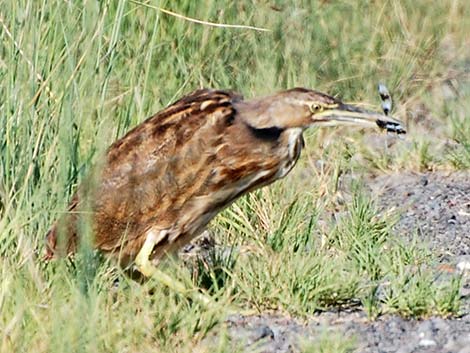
(145, 266)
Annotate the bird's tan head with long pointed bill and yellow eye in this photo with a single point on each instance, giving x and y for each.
(303, 108)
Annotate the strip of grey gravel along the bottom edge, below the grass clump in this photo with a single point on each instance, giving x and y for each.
(271, 333)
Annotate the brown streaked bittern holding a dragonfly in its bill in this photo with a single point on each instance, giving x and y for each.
(161, 184)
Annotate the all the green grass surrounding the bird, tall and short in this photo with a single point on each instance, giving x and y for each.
(75, 75)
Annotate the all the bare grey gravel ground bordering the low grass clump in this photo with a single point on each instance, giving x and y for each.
(435, 207)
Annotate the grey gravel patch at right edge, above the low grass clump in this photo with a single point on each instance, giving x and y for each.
(434, 206)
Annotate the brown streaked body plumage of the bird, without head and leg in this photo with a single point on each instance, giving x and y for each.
(159, 175)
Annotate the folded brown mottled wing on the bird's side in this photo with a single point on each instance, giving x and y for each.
(155, 168)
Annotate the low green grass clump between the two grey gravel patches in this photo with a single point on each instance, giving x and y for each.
(357, 259)
